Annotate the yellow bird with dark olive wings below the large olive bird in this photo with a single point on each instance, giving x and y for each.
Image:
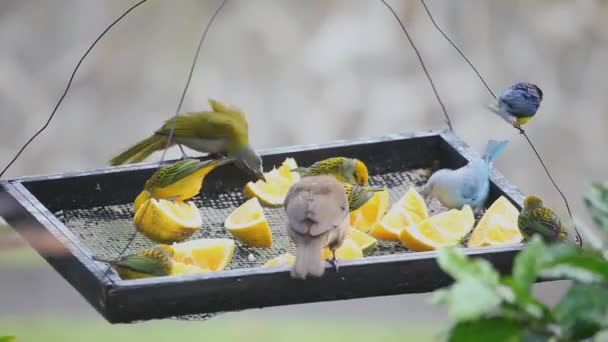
(178, 181)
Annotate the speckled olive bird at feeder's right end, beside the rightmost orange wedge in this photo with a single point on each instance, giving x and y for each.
(535, 218)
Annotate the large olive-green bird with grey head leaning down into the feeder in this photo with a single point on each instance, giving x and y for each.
(222, 131)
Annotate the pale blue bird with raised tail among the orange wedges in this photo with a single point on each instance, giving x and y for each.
(469, 184)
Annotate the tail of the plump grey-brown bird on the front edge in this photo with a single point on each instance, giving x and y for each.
(308, 259)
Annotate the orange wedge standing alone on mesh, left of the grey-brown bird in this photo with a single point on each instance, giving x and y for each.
(248, 224)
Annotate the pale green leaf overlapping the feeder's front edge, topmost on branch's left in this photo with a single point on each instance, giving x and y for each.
(454, 262)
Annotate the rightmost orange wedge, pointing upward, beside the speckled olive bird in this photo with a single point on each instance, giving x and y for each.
(497, 226)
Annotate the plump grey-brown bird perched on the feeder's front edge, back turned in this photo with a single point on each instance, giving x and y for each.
(317, 213)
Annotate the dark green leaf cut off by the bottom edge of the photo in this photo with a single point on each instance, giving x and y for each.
(483, 330)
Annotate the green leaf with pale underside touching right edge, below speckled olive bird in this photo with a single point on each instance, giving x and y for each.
(584, 268)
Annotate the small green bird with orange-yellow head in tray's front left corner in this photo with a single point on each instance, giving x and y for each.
(153, 262)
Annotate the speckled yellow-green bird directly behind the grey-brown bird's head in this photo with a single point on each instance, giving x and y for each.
(346, 170)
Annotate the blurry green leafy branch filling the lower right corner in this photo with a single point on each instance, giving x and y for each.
(489, 307)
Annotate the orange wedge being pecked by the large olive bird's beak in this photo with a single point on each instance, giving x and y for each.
(272, 192)
